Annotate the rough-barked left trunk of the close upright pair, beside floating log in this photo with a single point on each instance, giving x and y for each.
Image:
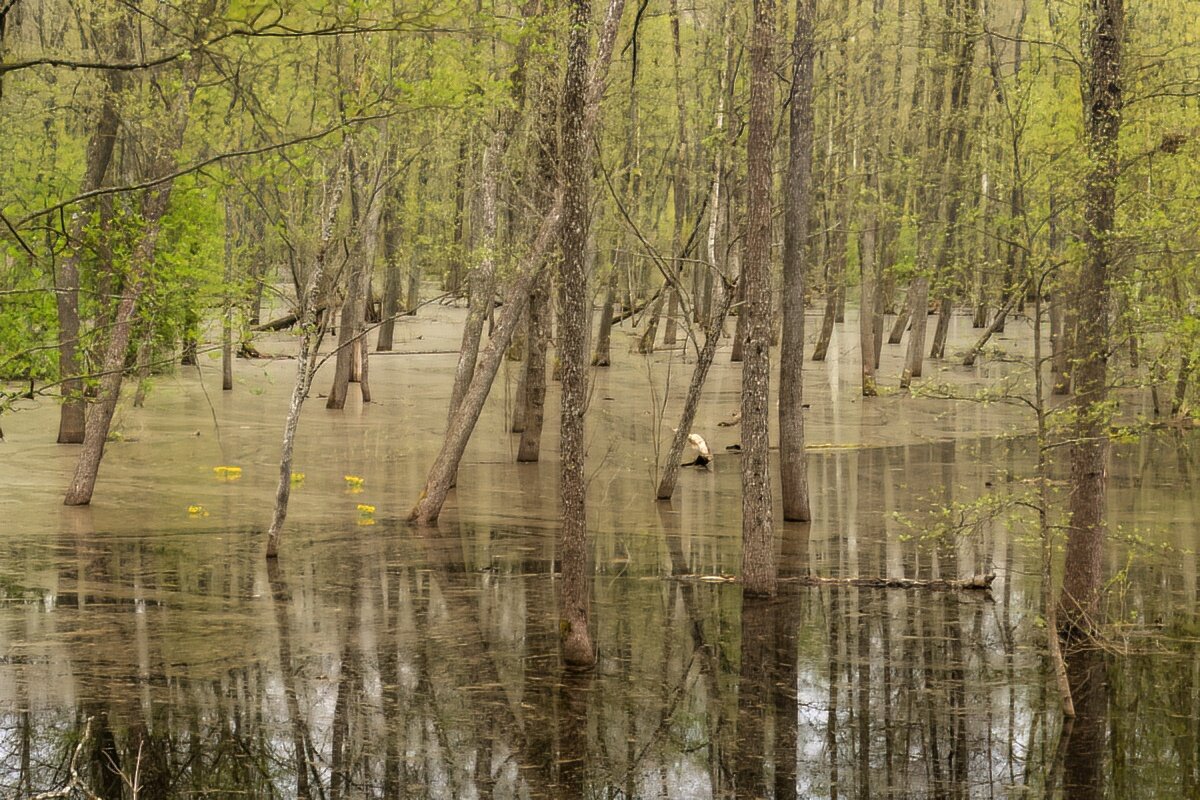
(758, 525)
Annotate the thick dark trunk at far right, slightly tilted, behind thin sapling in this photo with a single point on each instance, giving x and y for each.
(1083, 573)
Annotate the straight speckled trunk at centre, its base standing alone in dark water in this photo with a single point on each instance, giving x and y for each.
(573, 341)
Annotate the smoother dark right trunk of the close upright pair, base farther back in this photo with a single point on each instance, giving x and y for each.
(794, 474)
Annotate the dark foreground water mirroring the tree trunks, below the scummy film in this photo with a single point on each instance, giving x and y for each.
(416, 665)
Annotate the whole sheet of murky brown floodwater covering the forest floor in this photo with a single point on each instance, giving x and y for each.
(154, 652)
